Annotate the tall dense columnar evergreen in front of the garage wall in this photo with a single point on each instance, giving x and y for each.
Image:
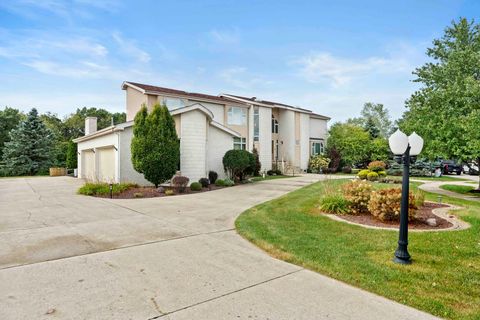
(155, 146)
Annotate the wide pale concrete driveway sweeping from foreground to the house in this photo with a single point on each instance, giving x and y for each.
(65, 256)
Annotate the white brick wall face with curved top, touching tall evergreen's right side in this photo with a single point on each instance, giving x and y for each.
(193, 145)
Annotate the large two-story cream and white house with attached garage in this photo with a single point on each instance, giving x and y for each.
(208, 126)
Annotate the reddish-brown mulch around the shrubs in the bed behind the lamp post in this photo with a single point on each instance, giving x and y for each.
(423, 213)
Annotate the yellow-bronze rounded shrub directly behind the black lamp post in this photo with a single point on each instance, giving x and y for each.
(385, 204)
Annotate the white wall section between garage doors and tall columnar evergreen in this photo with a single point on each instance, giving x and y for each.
(127, 172)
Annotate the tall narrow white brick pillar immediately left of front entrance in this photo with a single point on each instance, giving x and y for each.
(265, 137)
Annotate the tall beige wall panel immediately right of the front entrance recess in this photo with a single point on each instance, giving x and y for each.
(286, 131)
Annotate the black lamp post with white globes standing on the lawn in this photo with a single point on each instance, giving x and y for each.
(406, 147)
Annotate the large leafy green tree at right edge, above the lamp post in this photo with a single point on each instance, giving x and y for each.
(450, 87)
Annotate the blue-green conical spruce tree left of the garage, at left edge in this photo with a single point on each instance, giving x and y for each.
(30, 148)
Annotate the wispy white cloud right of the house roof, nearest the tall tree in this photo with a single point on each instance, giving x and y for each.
(323, 66)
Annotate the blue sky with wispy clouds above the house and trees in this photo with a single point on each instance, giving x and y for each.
(328, 56)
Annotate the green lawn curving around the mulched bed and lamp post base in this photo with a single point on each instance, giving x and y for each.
(443, 280)
